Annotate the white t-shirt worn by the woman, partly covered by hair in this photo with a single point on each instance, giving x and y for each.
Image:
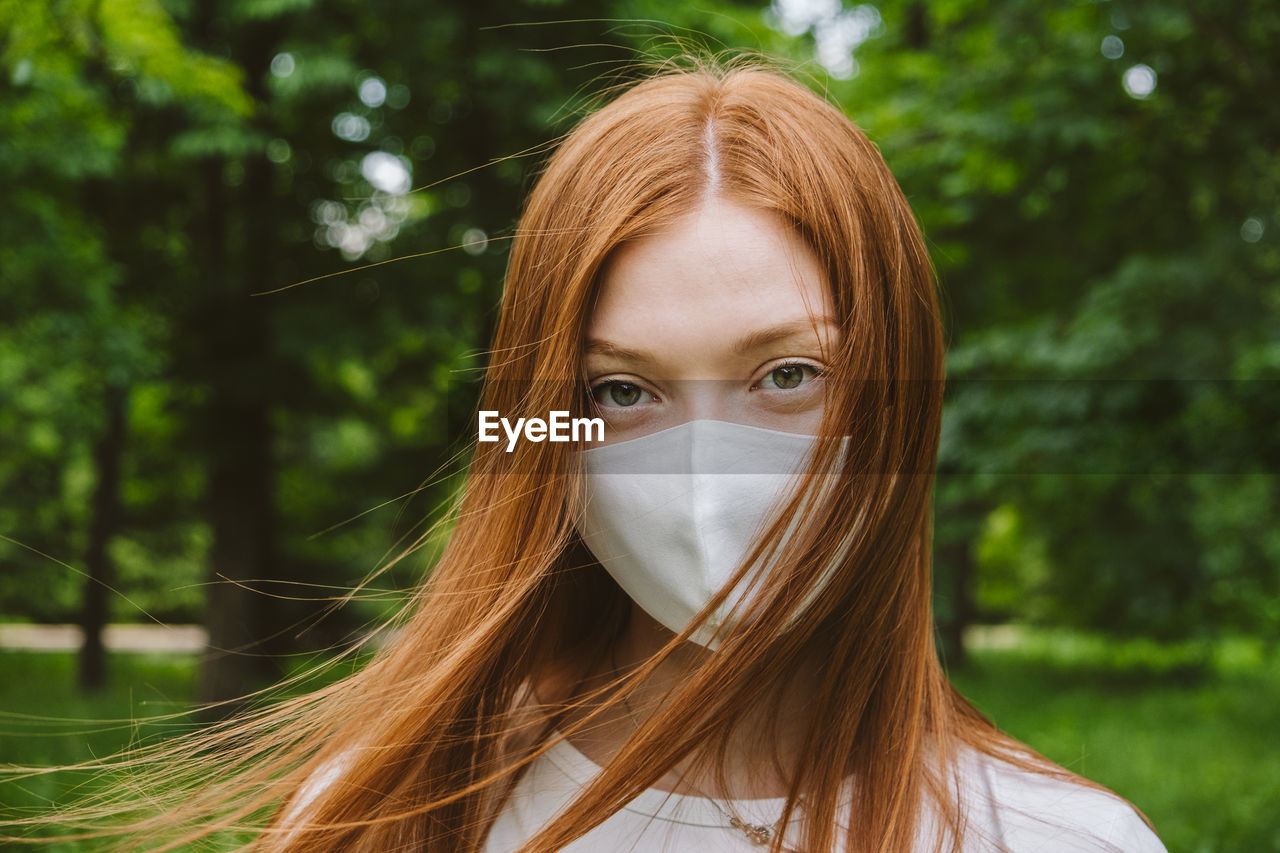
(1011, 810)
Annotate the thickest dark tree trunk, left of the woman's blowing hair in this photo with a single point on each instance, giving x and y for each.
(239, 367)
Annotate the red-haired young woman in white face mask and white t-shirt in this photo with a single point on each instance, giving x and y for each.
(711, 630)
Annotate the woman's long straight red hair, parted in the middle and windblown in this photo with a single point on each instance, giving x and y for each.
(419, 749)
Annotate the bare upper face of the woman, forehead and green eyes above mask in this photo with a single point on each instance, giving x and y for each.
(726, 316)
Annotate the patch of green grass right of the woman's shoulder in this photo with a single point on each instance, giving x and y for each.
(1190, 738)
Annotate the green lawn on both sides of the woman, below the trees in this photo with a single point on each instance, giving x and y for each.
(1188, 737)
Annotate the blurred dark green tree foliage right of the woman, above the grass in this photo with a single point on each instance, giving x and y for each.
(1100, 185)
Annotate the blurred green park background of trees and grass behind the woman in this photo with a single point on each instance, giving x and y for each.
(250, 256)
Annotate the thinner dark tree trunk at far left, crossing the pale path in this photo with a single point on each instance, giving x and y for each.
(104, 519)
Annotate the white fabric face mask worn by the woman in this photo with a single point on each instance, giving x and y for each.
(673, 516)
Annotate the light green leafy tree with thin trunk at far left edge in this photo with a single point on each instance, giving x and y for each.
(74, 340)
